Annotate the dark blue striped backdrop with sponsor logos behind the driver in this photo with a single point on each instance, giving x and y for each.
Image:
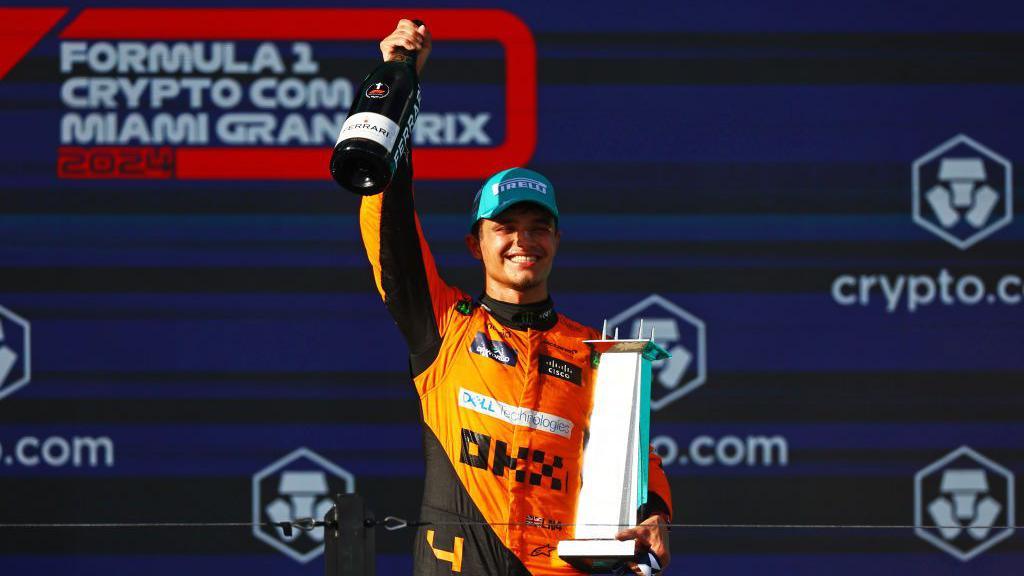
(814, 202)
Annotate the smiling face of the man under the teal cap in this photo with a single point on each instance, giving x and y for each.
(518, 248)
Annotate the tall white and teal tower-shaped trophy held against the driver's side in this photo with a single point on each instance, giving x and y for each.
(615, 462)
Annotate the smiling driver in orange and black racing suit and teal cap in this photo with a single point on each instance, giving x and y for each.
(505, 384)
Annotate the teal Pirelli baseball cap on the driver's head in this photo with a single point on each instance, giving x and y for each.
(513, 187)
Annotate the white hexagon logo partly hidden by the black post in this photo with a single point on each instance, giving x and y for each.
(300, 485)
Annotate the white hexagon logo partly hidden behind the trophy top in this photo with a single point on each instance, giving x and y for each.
(678, 332)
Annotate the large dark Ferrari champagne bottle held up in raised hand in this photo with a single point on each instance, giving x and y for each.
(376, 136)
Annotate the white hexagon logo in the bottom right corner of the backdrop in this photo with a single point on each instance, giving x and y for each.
(964, 504)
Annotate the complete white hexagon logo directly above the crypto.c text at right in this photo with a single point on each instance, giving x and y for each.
(963, 192)
